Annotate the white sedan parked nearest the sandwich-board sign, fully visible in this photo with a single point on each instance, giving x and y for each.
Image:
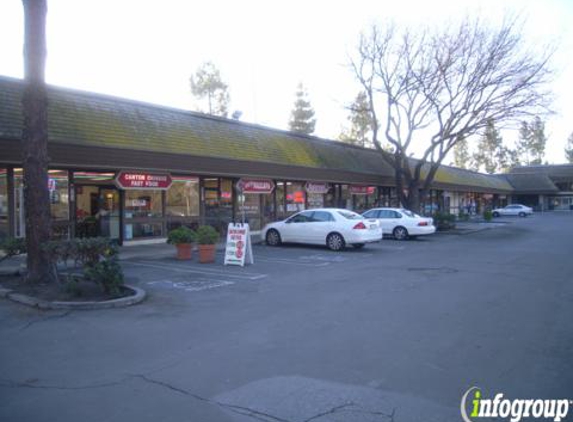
(332, 227)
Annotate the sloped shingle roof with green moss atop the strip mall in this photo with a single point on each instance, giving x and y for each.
(81, 118)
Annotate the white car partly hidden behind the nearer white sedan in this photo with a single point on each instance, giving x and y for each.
(401, 223)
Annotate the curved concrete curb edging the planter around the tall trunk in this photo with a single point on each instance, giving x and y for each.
(121, 302)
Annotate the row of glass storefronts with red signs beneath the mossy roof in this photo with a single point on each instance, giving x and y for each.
(132, 206)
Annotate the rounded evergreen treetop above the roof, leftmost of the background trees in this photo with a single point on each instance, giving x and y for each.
(207, 84)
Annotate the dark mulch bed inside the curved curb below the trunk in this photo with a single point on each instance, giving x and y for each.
(83, 291)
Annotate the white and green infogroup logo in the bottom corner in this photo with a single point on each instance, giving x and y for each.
(515, 410)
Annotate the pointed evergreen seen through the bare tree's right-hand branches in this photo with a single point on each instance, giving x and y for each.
(491, 154)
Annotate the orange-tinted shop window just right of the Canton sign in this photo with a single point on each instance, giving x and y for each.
(183, 197)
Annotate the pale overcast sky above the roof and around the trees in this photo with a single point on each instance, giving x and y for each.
(147, 49)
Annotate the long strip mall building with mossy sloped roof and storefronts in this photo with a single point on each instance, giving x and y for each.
(132, 171)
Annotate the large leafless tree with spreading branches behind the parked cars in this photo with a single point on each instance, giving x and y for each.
(441, 86)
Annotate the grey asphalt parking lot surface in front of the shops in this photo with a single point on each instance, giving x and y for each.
(397, 331)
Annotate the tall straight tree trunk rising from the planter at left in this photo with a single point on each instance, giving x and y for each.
(35, 142)
